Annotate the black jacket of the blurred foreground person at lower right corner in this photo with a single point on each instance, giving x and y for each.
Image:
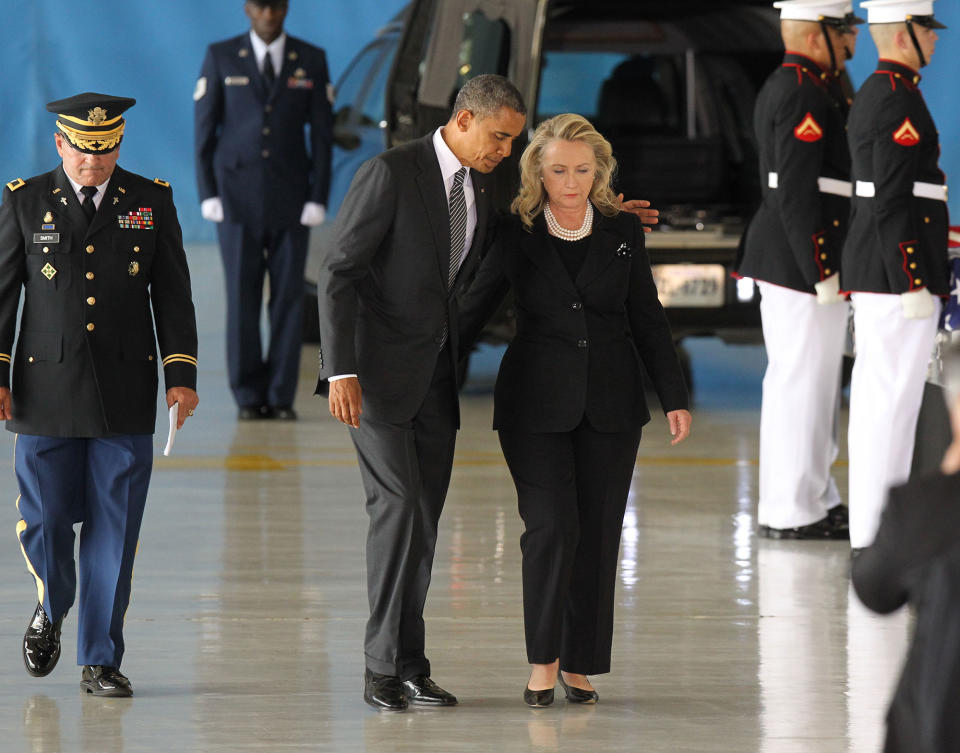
(915, 558)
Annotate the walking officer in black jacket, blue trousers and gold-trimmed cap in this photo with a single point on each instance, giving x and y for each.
(100, 258)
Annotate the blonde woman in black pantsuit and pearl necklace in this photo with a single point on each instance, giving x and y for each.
(569, 402)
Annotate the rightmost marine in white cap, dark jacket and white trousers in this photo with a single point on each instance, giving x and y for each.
(895, 258)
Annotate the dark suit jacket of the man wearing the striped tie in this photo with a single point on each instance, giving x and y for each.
(383, 289)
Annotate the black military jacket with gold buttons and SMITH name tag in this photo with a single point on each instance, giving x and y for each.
(86, 357)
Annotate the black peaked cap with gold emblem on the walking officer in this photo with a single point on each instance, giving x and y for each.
(92, 123)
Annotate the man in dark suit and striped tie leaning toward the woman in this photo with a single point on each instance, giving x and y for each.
(409, 234)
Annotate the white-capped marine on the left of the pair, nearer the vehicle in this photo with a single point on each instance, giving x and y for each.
(792, 249)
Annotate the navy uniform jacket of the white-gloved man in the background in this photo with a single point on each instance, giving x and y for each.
(251, 142)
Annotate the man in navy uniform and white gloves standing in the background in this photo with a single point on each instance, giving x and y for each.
(256, 97)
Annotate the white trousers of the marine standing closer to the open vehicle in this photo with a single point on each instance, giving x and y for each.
(798, 416)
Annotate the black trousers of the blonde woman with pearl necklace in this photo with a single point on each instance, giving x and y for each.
(572, 493)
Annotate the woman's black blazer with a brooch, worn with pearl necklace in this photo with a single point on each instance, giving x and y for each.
(581, 344)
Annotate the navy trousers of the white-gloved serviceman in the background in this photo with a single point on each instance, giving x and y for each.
(248, 254)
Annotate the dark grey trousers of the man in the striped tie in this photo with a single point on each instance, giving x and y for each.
(406, 471)
